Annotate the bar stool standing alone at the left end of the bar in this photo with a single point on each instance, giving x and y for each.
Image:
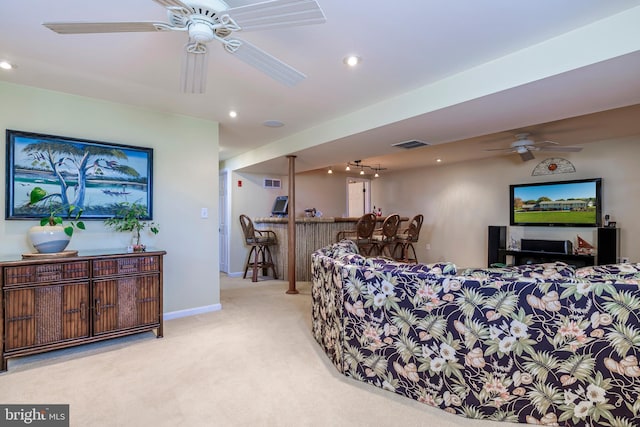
(260, 255)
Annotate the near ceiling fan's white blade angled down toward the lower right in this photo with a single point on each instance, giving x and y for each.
(264, 62)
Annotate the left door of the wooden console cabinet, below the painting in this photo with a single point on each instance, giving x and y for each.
(43, 315)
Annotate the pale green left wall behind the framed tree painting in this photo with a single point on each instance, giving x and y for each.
(185, 180)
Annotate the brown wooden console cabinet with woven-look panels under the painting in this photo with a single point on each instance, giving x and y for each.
(52, 303)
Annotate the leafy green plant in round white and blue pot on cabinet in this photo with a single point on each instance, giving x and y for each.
(52, 235)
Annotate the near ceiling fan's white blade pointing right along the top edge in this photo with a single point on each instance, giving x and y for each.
(277, 14)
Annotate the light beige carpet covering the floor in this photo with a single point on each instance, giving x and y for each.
(254, 363)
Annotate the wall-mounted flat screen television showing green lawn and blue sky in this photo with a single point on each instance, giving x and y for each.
(576, 203)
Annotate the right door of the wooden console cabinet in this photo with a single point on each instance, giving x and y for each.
(126, 302)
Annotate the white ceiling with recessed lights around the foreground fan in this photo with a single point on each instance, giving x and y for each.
(405, 45)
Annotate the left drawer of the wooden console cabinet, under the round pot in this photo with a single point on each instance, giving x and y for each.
(46, 273)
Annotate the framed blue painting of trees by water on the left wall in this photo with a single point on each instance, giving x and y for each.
(96, 176)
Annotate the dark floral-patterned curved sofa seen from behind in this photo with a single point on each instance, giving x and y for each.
(541, 344)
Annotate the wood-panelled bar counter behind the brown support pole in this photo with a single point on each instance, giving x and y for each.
(311, 234)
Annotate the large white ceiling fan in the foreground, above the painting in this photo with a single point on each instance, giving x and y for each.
(208, 20)
